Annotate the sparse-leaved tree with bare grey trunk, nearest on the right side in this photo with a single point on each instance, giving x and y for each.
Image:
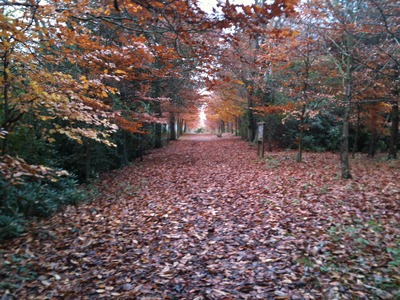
(344, 33)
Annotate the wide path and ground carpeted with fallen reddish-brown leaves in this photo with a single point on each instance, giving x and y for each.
(206, 219)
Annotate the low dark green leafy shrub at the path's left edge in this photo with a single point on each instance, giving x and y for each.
(40, 199)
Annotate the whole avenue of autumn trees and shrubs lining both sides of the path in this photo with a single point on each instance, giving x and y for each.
(87, 86)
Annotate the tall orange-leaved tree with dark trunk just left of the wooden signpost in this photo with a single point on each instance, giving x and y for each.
(239, 51)
